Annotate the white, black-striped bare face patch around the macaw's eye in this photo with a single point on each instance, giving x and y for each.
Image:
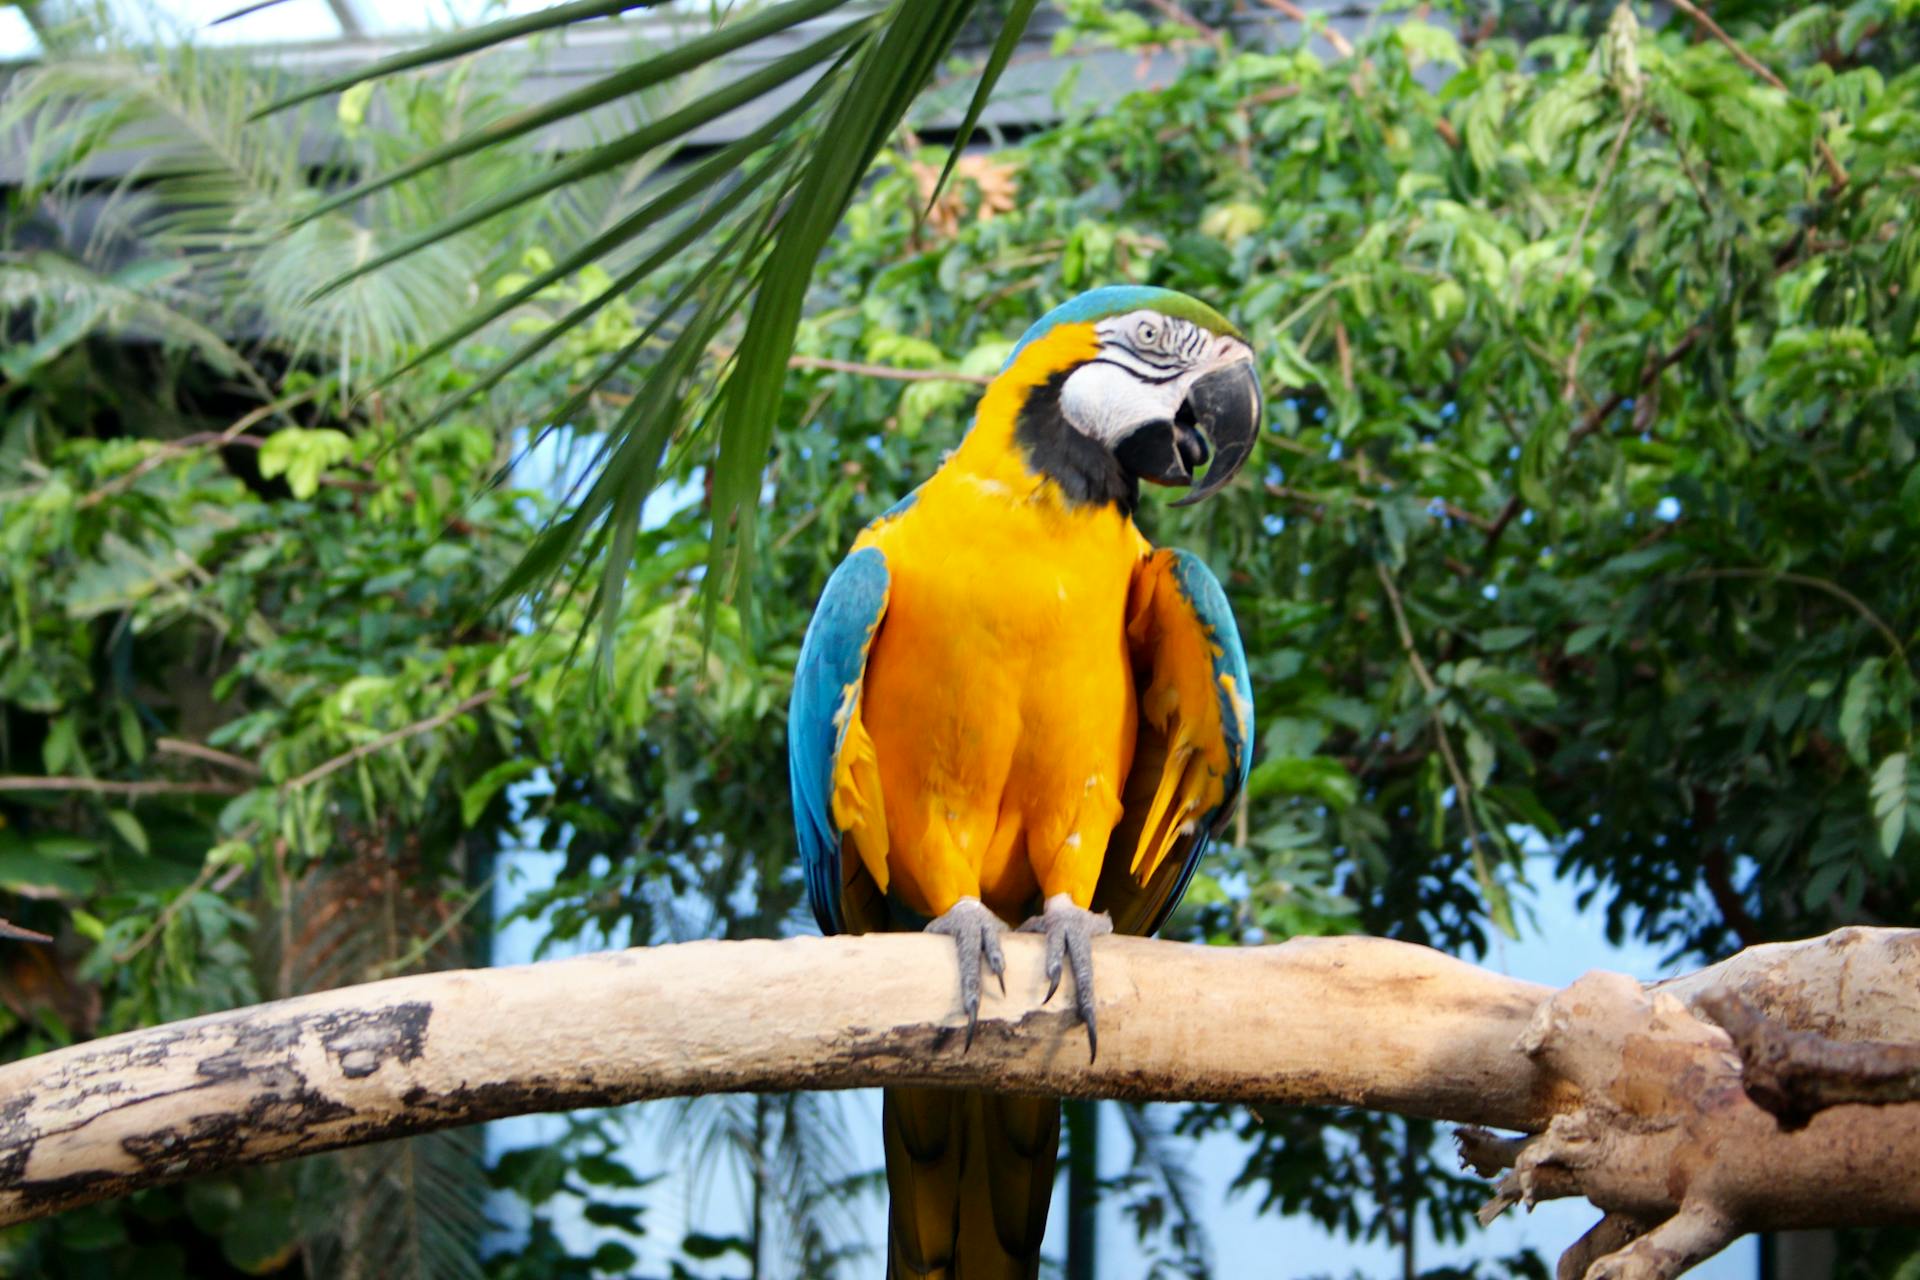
(1147, 366)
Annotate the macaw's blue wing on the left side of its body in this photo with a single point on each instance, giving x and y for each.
(827, 690)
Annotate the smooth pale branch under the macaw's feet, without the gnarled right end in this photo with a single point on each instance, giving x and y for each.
(366, 1064)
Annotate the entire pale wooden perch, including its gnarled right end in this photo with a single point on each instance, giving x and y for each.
(1631, 1101)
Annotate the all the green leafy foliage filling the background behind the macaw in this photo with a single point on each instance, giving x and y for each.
(1575, 548)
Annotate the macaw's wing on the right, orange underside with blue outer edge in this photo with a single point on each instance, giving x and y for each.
(1193, 751)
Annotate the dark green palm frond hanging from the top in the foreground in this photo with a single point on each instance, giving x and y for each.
(832, 107)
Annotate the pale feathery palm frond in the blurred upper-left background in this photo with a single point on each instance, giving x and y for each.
(206, 193)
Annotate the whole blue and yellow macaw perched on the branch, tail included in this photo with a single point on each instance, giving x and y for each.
(1011, 707)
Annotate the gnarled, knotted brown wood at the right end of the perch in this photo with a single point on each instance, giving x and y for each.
(1668, 1143)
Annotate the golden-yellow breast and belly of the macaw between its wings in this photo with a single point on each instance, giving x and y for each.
(999, 698)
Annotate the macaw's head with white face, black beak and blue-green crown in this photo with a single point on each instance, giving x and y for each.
(1155, 379)
